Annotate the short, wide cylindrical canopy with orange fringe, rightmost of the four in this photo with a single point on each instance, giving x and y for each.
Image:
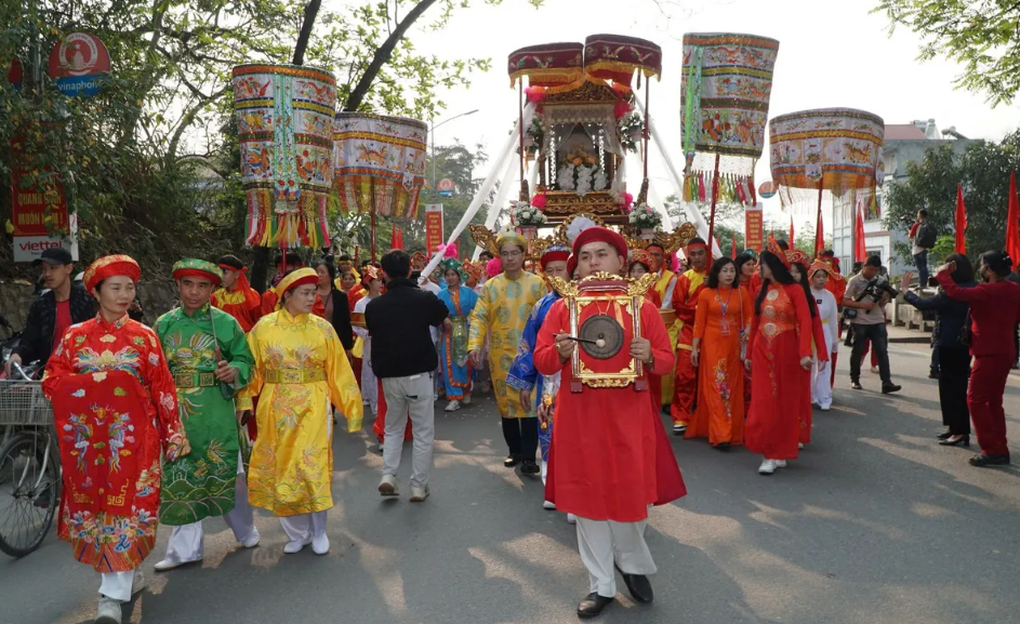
(833, 149)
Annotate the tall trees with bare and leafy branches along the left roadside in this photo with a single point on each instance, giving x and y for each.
(127, 157)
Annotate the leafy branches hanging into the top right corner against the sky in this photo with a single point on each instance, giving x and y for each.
(984, 36)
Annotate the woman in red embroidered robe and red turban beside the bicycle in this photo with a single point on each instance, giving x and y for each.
(116, 408)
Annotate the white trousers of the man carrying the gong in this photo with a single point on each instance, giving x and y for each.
(604, 543)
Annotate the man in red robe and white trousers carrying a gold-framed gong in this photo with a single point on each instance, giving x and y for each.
(610, 459)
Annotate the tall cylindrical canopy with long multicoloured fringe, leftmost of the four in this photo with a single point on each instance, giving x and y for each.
(285, 128)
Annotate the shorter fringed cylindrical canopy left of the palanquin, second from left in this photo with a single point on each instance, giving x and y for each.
(380, 164)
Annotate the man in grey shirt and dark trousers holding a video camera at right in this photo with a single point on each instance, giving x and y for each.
(868, 294)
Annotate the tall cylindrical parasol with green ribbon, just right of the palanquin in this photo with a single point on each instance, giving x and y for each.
(726, 90)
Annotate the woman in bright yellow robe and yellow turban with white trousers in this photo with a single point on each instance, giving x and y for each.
(300, 370)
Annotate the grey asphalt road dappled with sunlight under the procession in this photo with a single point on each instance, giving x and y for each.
(876, 524)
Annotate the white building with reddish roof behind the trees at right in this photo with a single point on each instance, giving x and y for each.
(905, 143)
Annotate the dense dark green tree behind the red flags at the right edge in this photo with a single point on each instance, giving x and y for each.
(984, 169)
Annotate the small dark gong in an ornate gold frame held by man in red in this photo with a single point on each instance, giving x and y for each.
(604, 317)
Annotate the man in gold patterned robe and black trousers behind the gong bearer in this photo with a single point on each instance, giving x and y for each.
(502, 313)
